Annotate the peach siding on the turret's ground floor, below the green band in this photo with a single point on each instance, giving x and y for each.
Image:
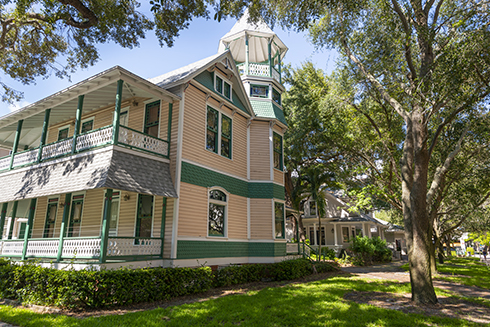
(260, 218)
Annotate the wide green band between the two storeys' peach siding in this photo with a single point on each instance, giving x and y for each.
(200, 176)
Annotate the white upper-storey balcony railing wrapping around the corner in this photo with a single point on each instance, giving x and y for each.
(93, 139)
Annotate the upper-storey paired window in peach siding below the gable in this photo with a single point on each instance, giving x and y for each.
(218, 132)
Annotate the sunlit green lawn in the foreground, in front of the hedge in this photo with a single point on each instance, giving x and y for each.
(317, 303)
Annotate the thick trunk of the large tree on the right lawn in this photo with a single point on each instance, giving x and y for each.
(420, 258)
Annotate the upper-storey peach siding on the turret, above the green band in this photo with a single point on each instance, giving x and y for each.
(259, 151)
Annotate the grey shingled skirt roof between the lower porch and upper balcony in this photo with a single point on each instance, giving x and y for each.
(109, 167)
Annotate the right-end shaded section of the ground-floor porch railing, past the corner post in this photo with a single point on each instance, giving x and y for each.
(118, 247)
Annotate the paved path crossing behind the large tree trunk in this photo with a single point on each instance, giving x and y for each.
(393, 270)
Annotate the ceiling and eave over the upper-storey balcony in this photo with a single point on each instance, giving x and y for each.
(99, 91)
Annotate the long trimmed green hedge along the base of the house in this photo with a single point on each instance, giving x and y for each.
(82, 289)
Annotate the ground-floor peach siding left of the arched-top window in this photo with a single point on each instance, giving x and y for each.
(193, 211)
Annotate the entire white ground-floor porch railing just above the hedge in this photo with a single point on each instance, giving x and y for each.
(74, 248)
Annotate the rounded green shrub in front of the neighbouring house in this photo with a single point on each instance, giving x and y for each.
(368, 250)
